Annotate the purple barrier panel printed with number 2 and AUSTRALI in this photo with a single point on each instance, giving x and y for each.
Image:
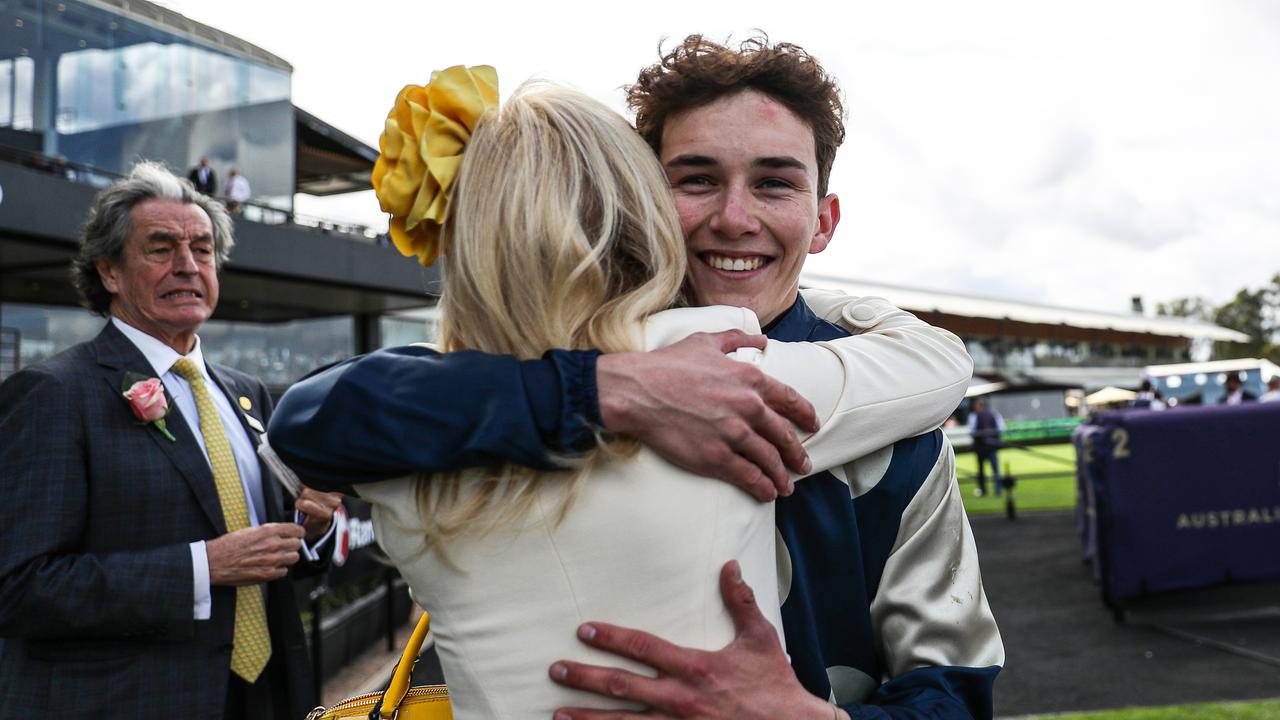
(1187, 498)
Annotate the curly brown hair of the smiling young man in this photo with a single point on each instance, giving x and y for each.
(700, 71)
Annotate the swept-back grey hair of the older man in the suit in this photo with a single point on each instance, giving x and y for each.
(109, 225)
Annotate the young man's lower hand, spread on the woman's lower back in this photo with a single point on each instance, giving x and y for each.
(748, 680)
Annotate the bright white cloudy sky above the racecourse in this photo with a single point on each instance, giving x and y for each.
(1066, 152)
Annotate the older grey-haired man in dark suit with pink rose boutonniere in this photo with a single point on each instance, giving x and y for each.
(145, 549)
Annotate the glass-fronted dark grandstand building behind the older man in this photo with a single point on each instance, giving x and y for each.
(88, 88)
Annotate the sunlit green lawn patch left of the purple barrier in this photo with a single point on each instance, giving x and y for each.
(1057, 493)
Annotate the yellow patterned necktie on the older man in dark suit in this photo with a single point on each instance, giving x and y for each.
(253, 644)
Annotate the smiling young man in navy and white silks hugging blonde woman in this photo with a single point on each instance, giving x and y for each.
(884, 608)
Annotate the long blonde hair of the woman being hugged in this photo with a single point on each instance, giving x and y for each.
(561, 235)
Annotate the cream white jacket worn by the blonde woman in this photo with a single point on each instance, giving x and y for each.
(643, 543)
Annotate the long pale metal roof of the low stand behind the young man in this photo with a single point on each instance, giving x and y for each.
(920, 300)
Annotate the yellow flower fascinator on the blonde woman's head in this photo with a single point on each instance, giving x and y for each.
(422, 152)
